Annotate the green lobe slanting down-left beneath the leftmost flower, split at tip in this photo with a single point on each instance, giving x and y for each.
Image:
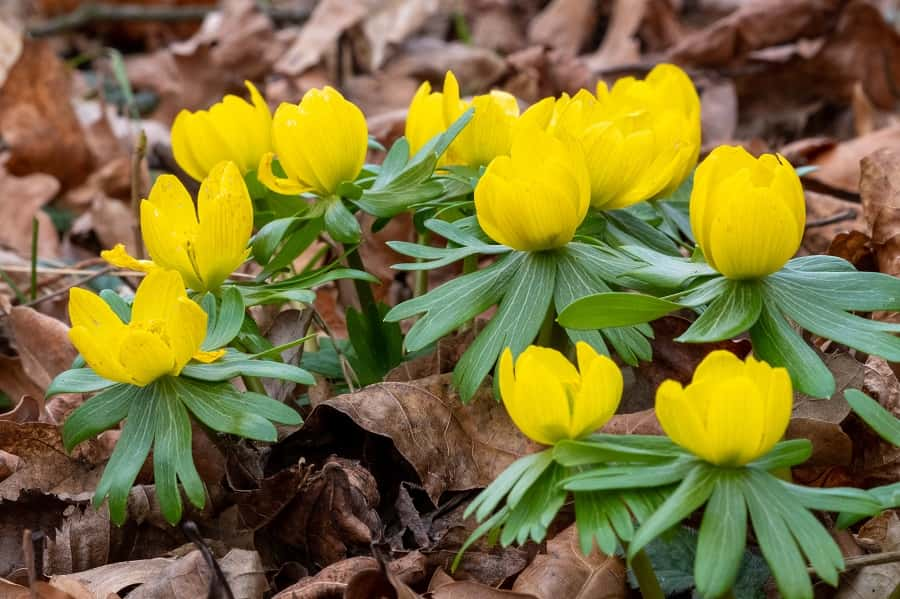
(130, 452)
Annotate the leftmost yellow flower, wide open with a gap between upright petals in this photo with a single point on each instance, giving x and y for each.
(165, 332)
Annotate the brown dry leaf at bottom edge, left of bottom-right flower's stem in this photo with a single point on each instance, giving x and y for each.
(565, 572)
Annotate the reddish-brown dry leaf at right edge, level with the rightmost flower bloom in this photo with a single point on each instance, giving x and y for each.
(880, 191)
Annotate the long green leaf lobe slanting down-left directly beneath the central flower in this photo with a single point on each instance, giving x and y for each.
(515, 325)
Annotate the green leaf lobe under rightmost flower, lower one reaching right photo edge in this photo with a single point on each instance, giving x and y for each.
(828, 321)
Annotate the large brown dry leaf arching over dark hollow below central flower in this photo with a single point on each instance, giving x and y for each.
(451, 446)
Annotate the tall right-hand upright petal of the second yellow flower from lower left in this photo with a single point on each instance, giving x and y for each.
(226, 223)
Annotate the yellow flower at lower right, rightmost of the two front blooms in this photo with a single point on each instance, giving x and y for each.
(731, 413)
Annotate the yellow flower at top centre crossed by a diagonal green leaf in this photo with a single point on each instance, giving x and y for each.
(489, 134)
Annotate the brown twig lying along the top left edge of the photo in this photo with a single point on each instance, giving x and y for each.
(92, 12)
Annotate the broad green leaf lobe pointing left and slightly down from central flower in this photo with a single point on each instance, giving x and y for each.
(455, 302)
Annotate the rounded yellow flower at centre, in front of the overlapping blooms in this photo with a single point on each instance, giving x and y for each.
(530, 200)
